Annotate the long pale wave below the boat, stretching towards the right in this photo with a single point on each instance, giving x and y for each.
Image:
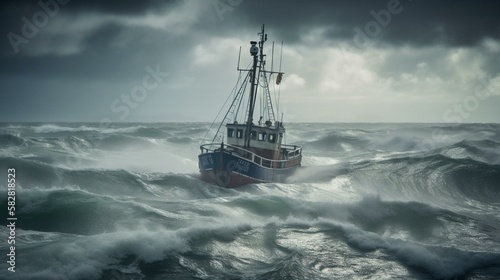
(370, 213)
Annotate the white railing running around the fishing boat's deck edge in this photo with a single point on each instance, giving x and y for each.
(292, 155)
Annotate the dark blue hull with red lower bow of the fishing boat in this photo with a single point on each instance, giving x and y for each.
(230, 170)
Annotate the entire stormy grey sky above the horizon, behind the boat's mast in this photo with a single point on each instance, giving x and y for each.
(168, 61)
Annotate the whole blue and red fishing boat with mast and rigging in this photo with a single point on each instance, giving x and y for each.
(242, 151)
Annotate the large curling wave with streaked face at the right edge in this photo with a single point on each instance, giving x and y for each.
(433, 177)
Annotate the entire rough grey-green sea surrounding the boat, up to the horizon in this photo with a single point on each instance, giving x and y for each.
(372, 201)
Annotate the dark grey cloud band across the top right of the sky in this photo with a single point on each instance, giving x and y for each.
(446, 23)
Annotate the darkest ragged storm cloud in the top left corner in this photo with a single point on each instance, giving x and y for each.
(17, 17)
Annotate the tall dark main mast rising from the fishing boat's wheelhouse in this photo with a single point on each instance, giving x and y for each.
(257, 63)
